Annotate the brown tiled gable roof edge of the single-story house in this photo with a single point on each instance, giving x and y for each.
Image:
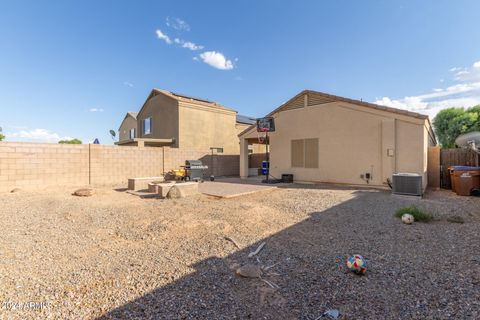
(316, 97)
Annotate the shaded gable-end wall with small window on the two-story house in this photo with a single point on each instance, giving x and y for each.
(165, 118)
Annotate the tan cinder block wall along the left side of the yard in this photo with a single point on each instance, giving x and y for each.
(38, 165)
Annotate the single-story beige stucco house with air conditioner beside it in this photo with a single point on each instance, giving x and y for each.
(325, 138)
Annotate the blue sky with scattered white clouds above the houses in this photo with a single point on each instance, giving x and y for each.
(74, 68)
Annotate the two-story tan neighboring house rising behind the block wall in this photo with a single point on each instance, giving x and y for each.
(180, 121)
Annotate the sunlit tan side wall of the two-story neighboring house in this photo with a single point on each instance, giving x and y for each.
(202, 127)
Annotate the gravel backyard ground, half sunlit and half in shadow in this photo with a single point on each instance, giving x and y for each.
(114, 255)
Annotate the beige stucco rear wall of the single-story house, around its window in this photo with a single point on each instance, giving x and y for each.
(353, 140)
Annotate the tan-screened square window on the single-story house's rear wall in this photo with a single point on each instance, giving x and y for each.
(304, 153)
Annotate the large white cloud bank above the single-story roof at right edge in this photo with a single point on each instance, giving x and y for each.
(464, 93)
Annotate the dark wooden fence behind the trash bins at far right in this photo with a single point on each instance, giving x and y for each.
(455, 157)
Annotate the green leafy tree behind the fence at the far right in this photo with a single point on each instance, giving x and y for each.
(452, 122)
